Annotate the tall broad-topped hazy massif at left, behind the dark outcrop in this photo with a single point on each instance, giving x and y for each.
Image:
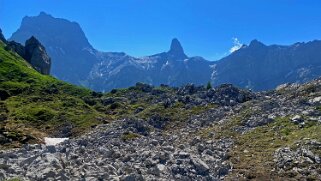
(65, 42)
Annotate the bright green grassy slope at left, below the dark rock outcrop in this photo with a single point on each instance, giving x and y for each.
(35, 105)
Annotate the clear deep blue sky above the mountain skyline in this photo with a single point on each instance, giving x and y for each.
(204, 27)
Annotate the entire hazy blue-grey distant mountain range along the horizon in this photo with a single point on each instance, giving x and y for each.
(256, 66)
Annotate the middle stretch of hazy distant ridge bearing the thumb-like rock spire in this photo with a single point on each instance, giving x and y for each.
(172, 68)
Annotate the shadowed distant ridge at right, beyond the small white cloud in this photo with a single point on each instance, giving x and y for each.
(261, 67)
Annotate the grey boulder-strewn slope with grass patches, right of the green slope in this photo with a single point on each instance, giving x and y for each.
(221, 133)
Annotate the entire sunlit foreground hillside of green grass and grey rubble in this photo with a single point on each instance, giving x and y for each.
(156, 133)
